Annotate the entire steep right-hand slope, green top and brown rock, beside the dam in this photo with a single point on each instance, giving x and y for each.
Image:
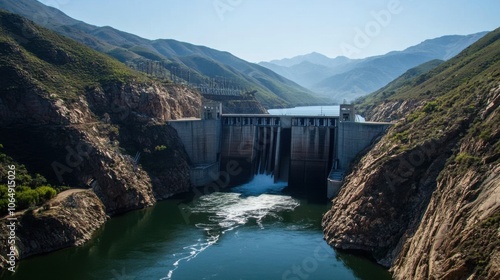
(425, 200)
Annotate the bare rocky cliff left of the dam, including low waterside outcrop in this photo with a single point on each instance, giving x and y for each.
(91, 143)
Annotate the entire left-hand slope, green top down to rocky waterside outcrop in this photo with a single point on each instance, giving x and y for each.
(80, 119)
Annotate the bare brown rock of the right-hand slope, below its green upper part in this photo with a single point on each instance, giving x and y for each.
(423, 214)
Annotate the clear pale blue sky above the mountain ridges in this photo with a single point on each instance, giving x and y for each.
(263, 30)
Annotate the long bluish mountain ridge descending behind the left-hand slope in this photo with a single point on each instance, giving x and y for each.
(182, 62)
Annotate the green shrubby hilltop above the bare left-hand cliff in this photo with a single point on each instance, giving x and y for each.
(60, 67)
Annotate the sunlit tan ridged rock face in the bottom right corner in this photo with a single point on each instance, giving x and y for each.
(459, 234)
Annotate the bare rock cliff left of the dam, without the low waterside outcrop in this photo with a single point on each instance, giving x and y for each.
(93, 142)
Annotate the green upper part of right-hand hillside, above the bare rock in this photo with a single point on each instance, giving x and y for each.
(452, 94)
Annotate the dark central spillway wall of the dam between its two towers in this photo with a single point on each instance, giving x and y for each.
(297, 150)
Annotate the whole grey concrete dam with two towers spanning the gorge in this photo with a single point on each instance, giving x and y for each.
(310, 153)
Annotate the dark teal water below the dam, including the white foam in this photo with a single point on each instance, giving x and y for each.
(253, 231)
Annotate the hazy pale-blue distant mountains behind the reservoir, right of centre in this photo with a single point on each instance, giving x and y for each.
(342, 78)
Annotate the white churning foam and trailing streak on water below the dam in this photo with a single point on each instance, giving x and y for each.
(227, 211)
